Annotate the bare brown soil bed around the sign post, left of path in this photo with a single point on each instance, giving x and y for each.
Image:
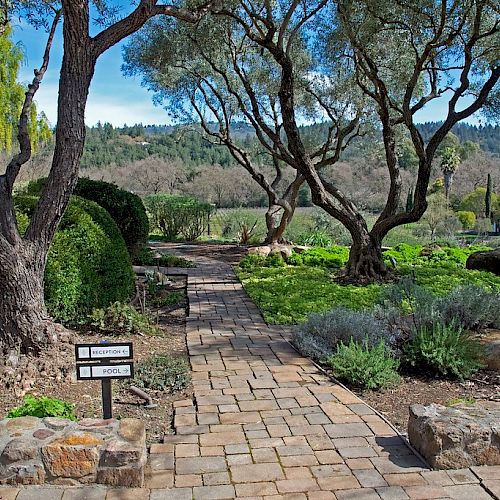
(87, 395)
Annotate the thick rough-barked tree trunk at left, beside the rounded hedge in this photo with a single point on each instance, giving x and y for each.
(24, 322)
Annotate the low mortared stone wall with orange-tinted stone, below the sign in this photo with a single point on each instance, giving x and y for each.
(59, 451)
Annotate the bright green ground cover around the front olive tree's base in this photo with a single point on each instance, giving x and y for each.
(286, 295)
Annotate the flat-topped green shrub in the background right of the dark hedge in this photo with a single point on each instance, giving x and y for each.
(174, 215)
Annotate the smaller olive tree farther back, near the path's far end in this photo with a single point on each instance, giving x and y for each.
(218, 76)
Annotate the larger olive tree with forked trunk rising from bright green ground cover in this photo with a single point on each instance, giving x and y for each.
(400, 56)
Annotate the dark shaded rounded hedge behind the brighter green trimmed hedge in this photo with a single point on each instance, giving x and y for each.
(126, 209)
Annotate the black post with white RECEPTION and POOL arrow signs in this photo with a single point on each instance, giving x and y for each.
(97, 362)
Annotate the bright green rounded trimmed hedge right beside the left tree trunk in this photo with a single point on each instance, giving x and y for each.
(88, 264)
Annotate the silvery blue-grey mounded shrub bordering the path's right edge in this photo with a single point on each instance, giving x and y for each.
(319, 336)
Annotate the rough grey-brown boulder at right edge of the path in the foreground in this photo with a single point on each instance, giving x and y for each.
(456, 437)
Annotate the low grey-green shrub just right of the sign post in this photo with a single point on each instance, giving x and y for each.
(162, 373)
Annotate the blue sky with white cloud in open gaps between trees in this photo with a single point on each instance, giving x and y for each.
(113, 98)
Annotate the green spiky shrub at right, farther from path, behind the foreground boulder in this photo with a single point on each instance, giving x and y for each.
(444, 350)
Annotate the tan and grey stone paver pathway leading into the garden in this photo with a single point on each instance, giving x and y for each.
(265, 423)
